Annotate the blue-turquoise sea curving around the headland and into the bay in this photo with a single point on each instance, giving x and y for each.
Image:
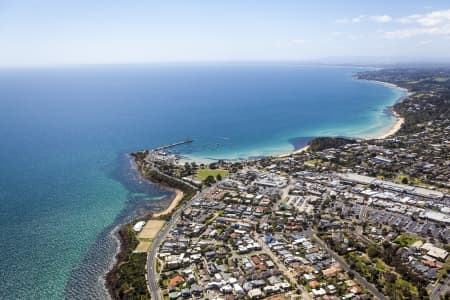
(65, 179)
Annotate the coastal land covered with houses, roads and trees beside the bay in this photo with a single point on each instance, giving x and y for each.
(343, 219)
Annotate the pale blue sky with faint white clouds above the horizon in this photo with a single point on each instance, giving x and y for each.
(52, 32)
